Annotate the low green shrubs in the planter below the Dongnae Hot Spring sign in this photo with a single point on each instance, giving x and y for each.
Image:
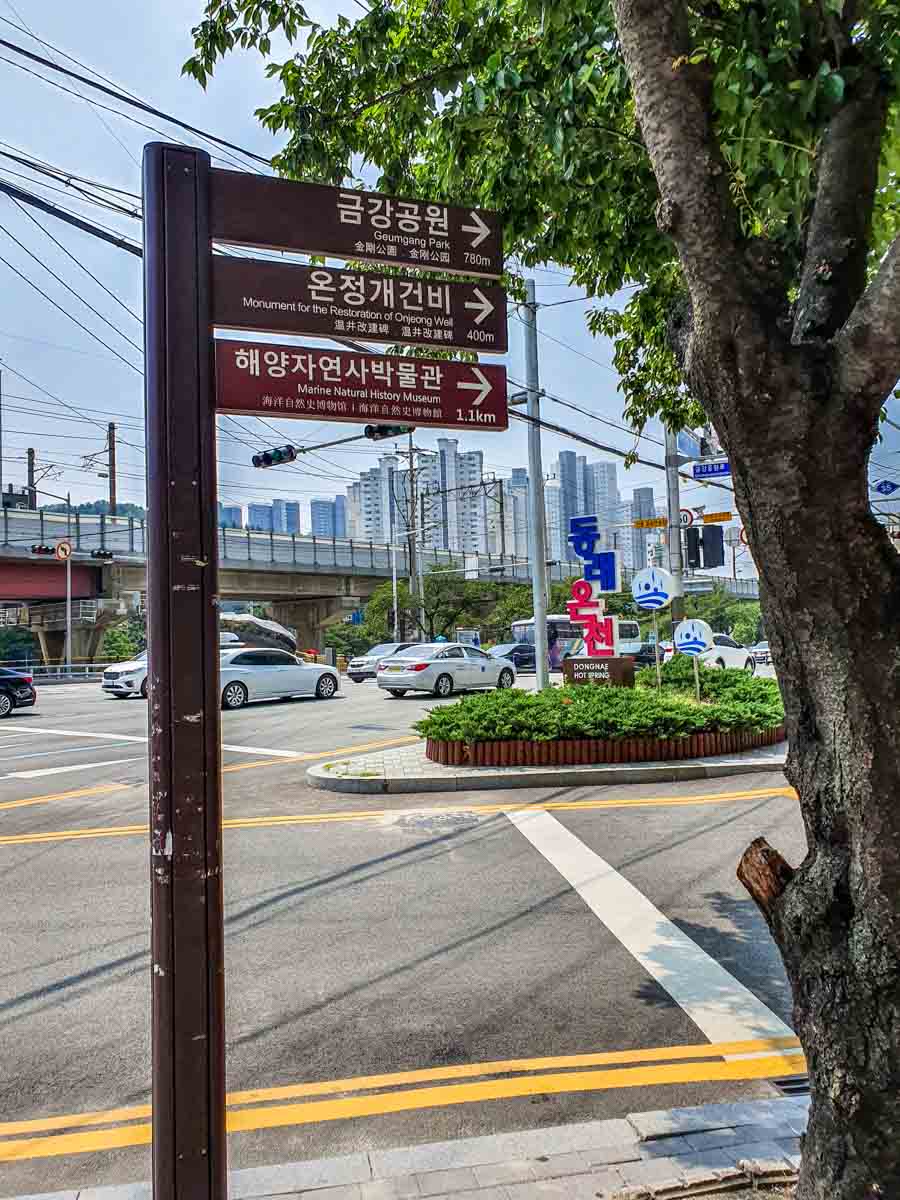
(597, 712)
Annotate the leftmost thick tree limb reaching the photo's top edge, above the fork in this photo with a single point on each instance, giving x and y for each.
(674, 107)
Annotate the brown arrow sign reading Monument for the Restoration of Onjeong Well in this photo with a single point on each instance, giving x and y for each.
(283, 298)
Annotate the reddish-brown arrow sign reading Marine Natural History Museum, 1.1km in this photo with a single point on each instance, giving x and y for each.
(373, 389)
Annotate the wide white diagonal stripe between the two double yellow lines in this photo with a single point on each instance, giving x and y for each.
(723, 1009)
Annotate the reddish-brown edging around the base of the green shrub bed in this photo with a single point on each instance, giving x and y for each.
(584, 752)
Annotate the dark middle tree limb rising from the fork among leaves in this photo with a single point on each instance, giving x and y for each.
(838, 244)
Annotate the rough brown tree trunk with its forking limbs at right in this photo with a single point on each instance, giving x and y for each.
(799, 421)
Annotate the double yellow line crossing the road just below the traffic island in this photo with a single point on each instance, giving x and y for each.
(379, 814)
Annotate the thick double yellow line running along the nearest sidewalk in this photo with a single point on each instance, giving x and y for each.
(406, 1100)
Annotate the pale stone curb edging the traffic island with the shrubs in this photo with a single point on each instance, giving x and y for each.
(379, 783)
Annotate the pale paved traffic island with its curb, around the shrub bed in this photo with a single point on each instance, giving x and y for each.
(407, 770)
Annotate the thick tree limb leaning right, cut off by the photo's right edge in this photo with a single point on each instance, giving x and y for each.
(868, 347)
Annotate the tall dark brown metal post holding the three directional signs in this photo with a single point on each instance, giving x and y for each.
(189, 1138)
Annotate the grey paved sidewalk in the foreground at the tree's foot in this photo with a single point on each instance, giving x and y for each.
(665, 1155)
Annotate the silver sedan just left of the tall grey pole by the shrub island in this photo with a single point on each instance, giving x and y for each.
(442, 669)
